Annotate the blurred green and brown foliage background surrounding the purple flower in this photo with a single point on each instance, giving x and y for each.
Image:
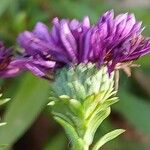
(30, 124)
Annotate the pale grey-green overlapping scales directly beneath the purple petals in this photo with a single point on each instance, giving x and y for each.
(80, 81)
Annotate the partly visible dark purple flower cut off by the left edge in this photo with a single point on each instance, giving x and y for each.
(6, 69)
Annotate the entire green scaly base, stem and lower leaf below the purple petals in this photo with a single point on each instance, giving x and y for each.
(81, 100)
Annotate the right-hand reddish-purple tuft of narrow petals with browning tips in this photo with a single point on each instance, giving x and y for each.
(118, 39)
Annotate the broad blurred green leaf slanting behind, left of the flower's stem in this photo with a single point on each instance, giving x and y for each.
(24, 108)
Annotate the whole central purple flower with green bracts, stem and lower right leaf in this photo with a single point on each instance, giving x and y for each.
(83, 89)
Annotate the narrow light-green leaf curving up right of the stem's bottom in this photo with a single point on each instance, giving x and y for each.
(107, 137)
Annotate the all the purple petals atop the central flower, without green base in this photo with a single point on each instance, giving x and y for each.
(110, 42)
